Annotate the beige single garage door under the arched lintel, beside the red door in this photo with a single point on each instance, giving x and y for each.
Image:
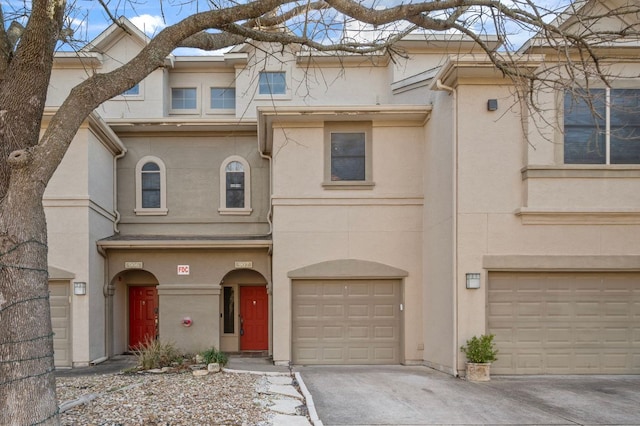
(346, 322)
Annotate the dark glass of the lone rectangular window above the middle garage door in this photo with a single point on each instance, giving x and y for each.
(347, 156)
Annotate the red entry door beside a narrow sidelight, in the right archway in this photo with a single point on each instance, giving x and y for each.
(254, 318)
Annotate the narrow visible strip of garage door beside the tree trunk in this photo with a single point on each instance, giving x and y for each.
(61, 320)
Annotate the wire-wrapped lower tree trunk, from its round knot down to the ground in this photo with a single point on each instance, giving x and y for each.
(27, 383)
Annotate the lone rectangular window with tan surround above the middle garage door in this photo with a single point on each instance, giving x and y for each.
(348, 154)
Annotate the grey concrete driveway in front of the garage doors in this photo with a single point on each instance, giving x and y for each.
(399, 395)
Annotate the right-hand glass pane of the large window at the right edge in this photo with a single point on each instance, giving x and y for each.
(625, 126)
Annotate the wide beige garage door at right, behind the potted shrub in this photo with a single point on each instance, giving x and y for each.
(565, 323)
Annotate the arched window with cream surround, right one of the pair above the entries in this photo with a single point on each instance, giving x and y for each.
(235, 186)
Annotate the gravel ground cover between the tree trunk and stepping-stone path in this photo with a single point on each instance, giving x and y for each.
(164, 399)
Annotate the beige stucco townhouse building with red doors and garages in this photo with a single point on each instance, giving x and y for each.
(337, 209)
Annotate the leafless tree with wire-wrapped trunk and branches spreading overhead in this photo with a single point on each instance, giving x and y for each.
(28, 41)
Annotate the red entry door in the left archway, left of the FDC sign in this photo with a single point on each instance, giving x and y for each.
(143, 314)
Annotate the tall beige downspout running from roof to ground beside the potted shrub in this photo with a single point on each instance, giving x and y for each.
(454, 218)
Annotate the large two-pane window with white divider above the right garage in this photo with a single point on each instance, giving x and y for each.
(602, 127)
